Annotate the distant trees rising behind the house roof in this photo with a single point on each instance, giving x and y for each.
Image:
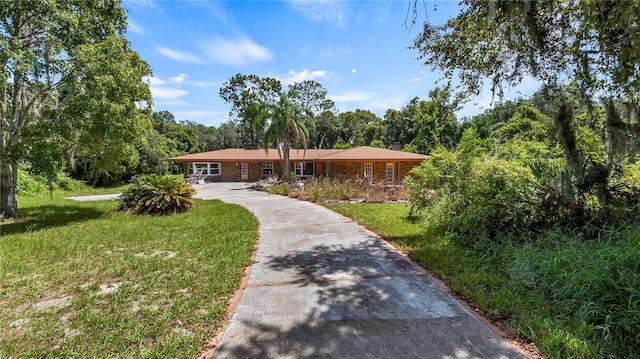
(420, 126)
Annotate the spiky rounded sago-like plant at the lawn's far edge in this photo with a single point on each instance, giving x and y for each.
(159, 195)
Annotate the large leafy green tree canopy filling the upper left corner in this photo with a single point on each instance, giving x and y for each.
(69, 84)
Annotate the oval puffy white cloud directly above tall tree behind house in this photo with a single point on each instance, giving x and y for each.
(235, 53)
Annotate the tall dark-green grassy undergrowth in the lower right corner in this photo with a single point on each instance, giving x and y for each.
(592, 289)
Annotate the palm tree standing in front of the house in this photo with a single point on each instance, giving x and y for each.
(286, 127)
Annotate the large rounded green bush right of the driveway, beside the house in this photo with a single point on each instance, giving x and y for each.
(473, 197)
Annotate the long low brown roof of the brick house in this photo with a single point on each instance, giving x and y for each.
(362, 153)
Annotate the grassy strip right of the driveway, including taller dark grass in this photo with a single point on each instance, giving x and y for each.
(571, 297)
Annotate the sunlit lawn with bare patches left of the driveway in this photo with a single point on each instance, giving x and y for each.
(79, 279)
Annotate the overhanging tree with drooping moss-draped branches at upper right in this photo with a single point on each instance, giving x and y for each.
(576, 49)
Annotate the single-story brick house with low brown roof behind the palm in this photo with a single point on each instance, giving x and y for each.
(377, 165)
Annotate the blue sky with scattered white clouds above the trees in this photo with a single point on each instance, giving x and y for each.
(356, 49)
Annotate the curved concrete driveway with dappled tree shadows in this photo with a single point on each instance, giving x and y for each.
(322, 287)
